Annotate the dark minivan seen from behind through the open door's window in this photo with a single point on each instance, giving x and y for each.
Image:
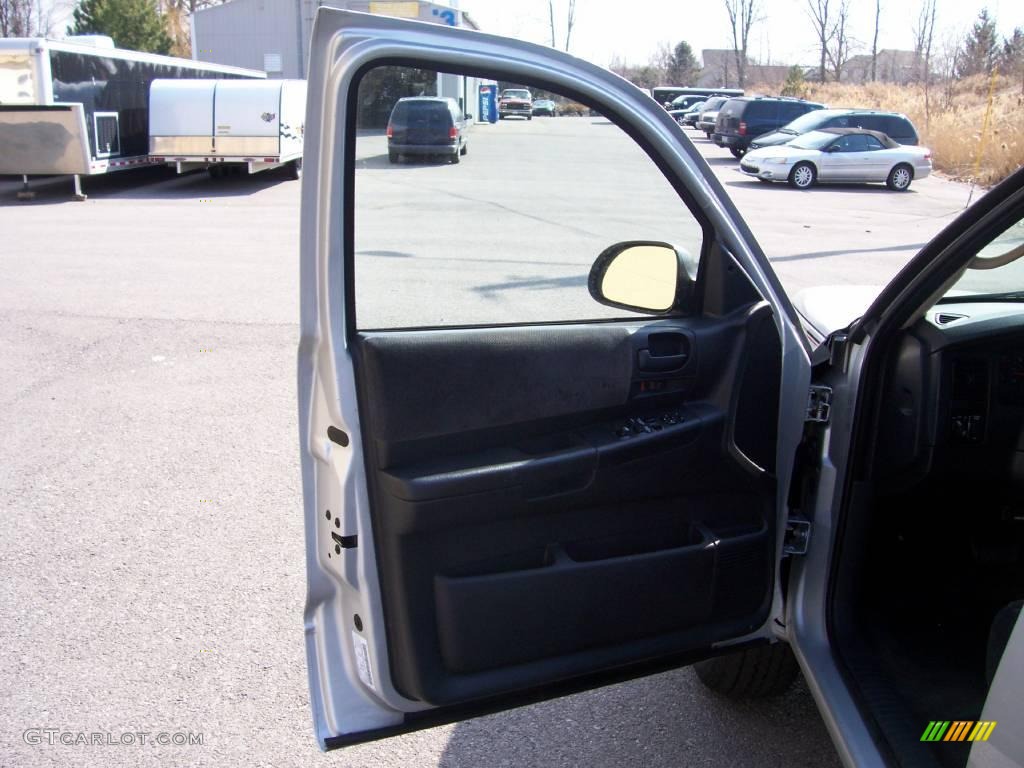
(426, 126)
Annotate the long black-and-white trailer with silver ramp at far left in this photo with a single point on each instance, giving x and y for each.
(80, 107)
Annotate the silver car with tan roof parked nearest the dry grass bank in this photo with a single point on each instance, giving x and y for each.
(840, 155)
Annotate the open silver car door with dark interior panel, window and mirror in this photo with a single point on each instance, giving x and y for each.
(513, 490)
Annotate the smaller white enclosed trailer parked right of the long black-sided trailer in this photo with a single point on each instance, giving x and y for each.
(217, 124)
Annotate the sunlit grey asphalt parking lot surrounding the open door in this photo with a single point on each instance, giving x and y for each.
(153, 550)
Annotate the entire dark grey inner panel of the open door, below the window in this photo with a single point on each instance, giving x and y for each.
(553, 500)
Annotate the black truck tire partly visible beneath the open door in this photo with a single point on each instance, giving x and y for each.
(754, 673)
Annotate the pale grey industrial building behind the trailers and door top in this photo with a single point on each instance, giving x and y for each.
(275, 35)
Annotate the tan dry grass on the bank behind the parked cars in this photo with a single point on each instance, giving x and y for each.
(952, 124)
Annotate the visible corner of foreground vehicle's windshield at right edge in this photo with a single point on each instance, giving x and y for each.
(996, 274)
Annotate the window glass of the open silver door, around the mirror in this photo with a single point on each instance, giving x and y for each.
(505, 233)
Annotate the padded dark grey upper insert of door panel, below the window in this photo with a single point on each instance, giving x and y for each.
(433, 383)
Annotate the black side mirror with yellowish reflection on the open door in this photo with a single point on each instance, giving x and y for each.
(643, 277)
